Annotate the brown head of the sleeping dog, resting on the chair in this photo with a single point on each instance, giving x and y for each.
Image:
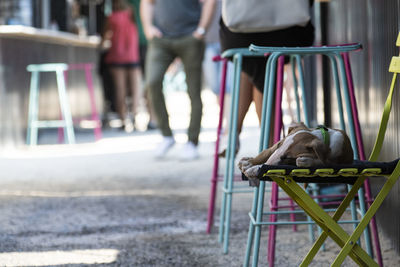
(306, 150)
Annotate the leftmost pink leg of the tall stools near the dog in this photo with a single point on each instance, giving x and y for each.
(214, 178)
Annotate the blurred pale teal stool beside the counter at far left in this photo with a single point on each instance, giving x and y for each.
(33, 121)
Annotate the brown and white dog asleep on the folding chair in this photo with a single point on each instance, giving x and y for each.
(303, 147)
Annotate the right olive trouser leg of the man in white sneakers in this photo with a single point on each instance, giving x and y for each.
(191, 52)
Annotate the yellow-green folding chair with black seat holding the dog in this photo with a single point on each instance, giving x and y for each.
(287, 178)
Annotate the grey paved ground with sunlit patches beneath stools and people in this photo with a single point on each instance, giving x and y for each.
(109, 203)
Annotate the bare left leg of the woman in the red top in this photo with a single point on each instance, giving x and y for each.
(119, 78)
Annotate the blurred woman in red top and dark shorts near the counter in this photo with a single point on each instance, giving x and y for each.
(123, 59)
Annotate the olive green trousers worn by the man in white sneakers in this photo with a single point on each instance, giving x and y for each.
(160, 54)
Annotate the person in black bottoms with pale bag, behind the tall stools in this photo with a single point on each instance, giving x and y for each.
(250, 22)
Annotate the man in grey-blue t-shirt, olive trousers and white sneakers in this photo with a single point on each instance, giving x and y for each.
(176, 28)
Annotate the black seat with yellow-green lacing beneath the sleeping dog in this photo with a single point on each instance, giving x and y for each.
(344, 173)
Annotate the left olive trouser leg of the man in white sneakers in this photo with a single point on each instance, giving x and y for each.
(158, 58)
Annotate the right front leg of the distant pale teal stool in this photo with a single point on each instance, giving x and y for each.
(64, 103)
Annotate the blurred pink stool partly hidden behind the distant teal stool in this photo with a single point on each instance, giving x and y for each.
(87, 68)
